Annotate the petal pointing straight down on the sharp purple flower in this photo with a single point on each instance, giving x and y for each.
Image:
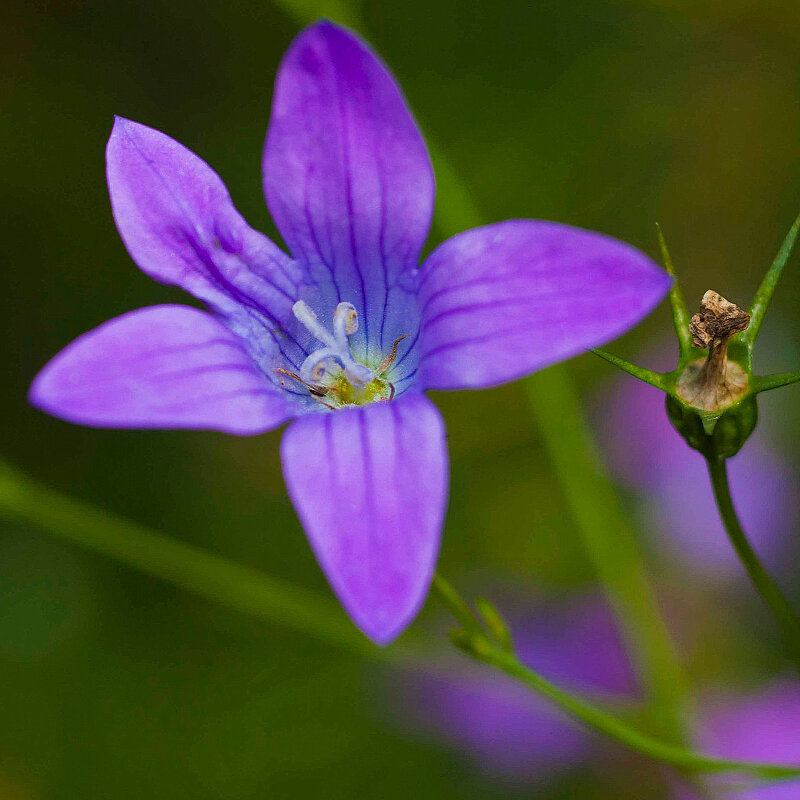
(370, 487)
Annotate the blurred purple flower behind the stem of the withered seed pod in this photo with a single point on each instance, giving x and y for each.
(671, 481)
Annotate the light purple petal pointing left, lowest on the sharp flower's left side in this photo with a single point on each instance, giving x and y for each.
(160, 367)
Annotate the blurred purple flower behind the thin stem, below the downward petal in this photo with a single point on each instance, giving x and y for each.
(504, 727)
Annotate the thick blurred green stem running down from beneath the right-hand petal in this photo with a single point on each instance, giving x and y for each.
(609, 541)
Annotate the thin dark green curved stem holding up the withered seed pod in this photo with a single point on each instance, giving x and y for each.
(784, 614)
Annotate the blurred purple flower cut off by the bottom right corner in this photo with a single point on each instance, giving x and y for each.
(763, 726)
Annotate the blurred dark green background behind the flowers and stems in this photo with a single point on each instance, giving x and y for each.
(607, 115)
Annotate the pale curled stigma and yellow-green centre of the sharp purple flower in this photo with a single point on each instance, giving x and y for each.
(331, 374)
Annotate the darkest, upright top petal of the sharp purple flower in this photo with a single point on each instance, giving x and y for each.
(347, 176)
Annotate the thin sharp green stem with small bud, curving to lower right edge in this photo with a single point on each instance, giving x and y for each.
(483, 649)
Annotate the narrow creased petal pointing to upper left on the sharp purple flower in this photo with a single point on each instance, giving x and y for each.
(180, 226)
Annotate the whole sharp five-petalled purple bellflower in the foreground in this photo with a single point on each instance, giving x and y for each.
(328, 335)
